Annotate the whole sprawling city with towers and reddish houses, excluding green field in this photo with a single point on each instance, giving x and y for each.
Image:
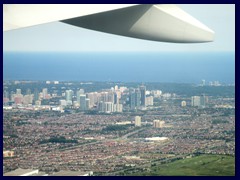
(114, 128)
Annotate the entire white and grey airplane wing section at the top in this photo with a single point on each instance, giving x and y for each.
(161, 22)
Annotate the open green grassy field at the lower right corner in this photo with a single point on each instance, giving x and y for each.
(204, 165)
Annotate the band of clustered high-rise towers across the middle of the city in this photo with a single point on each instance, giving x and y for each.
(107, 101)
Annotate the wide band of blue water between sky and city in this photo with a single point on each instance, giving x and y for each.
(127, 67)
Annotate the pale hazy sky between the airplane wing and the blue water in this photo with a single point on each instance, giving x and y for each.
(58, 36)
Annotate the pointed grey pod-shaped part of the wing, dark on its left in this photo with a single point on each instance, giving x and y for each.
(163, 22)
